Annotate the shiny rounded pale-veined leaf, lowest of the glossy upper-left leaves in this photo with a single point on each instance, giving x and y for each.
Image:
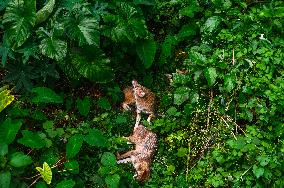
(53, 48)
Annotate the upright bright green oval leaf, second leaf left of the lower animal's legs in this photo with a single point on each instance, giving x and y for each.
(74, 145)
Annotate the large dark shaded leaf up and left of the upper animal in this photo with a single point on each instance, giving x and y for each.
(96, 70)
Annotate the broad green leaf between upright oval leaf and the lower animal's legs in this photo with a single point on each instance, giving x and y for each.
(96, 138)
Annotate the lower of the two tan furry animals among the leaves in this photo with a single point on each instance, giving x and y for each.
(141, 157)
